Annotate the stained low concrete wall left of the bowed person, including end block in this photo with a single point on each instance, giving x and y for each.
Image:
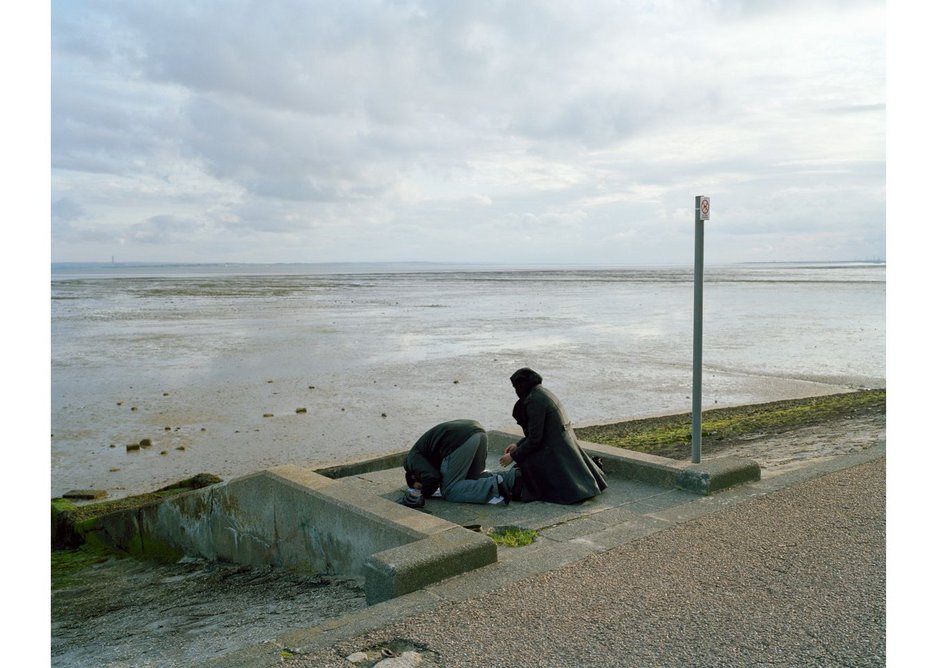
(297, 519)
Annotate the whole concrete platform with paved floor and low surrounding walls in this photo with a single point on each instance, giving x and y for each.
(345, 519)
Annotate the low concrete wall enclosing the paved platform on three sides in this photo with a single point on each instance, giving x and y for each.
(338, 520)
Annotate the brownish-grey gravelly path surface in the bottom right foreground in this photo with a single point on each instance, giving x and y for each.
(794, 578)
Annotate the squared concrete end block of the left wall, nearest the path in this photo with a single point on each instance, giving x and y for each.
(404, 569)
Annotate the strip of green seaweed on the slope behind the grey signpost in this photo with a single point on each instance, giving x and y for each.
(670, 435)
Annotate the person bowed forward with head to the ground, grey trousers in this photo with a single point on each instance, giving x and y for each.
(451, 457)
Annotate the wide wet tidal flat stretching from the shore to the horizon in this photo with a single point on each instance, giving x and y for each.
(229, 369)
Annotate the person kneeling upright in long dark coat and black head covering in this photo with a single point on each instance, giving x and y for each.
(553, 466)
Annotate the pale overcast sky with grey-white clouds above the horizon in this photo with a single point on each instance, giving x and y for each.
(515, 131)
